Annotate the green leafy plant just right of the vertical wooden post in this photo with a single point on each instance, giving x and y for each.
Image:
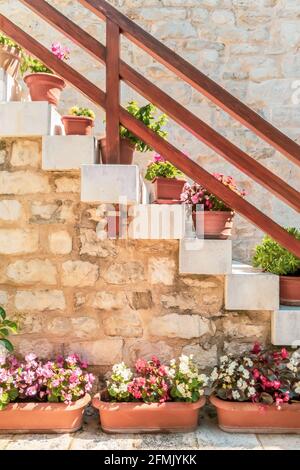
(147, 115)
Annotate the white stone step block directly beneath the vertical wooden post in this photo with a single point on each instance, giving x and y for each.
(113, 184)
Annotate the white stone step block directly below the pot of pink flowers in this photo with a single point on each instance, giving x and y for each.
(198, 256)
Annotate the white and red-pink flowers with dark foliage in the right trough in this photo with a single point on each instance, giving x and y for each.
(261, 376)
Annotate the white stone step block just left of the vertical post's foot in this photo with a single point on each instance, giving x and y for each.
(69, 152)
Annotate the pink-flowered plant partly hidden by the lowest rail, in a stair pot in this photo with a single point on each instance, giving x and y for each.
(196, 194)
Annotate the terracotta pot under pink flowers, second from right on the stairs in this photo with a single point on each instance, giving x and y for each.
(213, 224)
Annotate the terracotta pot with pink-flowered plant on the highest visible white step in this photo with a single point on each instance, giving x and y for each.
(42, 83)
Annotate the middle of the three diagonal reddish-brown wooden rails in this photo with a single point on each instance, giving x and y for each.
(176, 111)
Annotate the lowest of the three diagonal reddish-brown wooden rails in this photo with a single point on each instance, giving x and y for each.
(174, 155)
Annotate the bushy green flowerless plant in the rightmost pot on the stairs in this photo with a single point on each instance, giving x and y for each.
(273, 258)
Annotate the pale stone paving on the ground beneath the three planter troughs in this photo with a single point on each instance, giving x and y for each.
(207, 437)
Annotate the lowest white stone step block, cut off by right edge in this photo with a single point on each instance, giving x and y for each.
(286, 326)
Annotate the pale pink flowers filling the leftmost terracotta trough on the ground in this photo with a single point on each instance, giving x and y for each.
(63, 380)
